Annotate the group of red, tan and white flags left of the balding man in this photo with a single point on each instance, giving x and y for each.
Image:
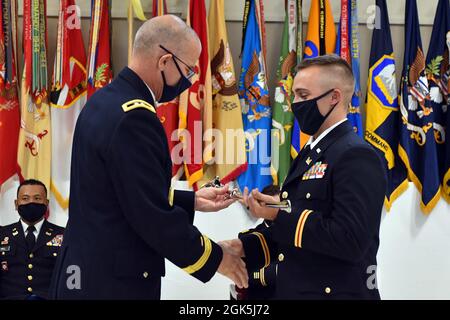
(38, 117)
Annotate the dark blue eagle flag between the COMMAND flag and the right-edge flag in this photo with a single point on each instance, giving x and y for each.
(418, 146)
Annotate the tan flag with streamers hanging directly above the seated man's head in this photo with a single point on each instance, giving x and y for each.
(34, 150)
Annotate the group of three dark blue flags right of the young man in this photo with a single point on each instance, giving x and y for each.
(409, 128)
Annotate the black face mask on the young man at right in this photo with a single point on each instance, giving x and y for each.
(308, 115)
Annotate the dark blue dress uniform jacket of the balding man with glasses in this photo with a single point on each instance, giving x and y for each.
(124, 218)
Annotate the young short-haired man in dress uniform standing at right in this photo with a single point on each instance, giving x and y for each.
(327, 241)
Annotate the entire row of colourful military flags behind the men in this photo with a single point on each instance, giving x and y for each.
(407, 129)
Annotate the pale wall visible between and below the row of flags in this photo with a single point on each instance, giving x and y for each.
(414, 255)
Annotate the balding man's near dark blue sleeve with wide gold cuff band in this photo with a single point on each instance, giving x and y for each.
(137, 163)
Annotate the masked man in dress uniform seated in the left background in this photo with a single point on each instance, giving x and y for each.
(29, 247)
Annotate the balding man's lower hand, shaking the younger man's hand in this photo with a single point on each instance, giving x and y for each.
(233, 268)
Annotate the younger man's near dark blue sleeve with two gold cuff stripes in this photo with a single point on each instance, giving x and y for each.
(358, 186)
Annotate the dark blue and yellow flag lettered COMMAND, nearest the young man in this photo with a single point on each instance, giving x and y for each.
(382, 116)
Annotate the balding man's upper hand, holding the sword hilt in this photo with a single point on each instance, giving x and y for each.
(212, 199)
